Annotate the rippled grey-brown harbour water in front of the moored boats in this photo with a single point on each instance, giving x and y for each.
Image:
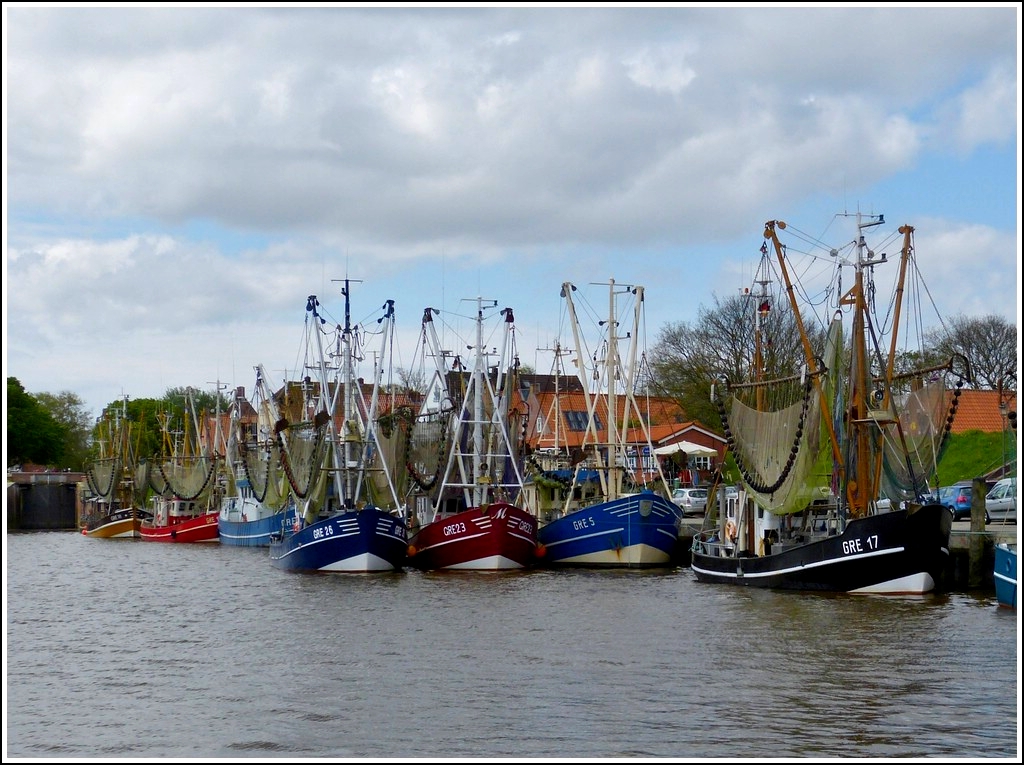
(122, 649)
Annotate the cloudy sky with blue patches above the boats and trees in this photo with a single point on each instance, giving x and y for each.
(180, 180)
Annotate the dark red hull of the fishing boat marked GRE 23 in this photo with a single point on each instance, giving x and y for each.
(492, 538)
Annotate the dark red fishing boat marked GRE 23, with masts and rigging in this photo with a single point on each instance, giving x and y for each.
(477, 521)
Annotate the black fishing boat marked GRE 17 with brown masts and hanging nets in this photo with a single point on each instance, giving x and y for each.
(820, 446)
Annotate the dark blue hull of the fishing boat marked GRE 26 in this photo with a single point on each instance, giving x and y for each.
(357, 541)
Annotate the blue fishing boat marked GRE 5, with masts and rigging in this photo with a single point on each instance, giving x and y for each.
(617, 512)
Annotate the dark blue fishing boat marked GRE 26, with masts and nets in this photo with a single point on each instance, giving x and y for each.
(351, 519)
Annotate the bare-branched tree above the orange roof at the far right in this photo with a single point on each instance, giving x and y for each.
(990, 345)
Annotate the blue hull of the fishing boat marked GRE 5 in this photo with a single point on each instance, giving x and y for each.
(636, 532)
